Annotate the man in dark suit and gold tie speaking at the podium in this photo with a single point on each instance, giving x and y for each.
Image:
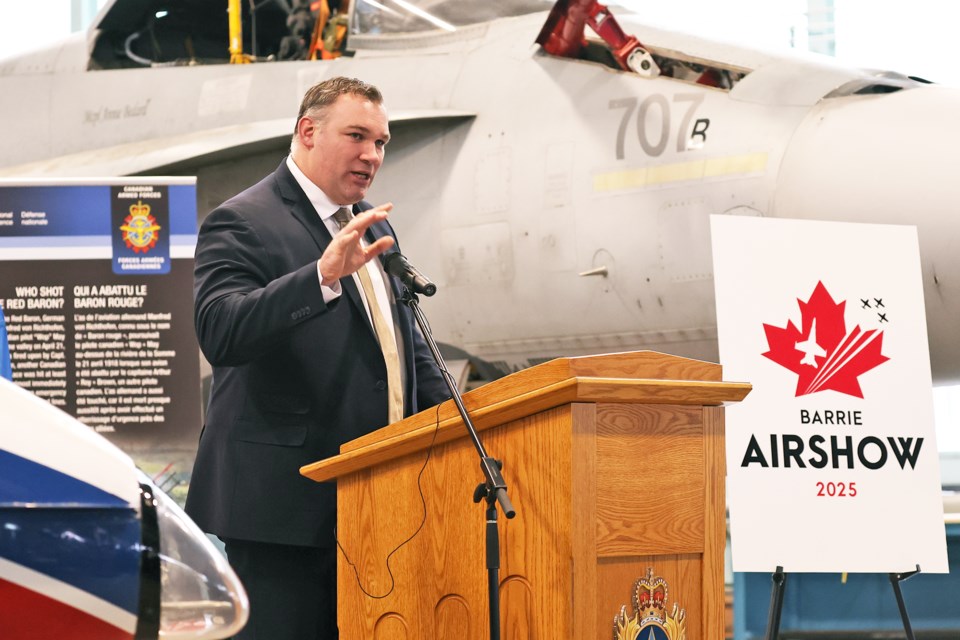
(309, 350)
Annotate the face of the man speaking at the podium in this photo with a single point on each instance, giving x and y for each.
(348, 148)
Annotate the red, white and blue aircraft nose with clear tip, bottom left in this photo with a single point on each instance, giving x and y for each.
(91, 548)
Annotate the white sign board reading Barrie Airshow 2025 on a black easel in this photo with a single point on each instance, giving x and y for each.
(832, 461)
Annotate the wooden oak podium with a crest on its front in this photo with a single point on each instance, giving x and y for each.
(615, 464)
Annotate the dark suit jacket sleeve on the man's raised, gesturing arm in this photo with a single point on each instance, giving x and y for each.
(241, 310)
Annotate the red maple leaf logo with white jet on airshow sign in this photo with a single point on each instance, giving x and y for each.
(821, 352)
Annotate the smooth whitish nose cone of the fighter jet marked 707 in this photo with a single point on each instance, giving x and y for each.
(887, 159)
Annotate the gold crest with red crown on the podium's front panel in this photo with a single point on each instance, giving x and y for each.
(651, 619)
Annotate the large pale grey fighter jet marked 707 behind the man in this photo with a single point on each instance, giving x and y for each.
(559, 202)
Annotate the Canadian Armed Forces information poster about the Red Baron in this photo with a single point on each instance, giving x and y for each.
(96, 284)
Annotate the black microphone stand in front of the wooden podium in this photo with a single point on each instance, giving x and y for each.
(493, 490)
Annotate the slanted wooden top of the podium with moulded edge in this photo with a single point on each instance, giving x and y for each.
(641, 377)
